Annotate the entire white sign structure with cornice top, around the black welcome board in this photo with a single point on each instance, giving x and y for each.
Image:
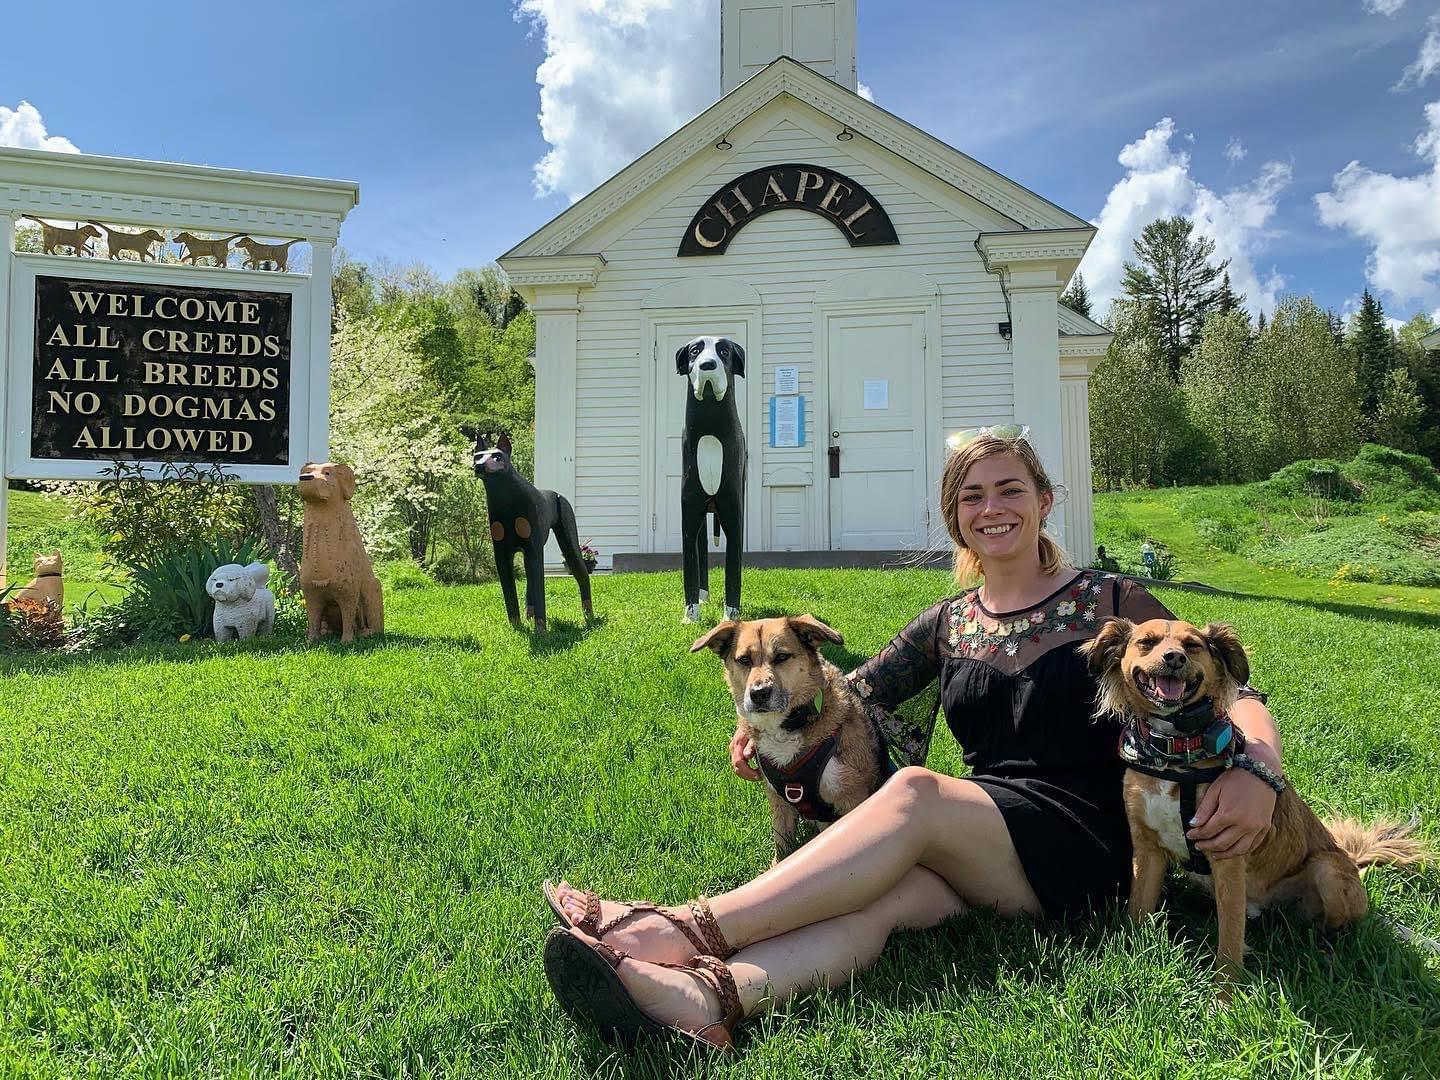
(57, 188)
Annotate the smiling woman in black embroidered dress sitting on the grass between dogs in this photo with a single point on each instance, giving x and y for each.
(1038, 829)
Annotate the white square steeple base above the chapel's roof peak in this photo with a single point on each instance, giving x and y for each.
(819, 34)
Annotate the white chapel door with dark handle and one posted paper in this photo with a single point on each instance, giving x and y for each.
(878, 421)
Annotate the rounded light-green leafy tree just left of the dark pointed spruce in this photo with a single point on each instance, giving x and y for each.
(1307, 388)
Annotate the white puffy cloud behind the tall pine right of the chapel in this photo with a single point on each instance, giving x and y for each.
(1158, 185)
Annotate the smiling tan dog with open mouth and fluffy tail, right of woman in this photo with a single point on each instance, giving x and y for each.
(1174, 685)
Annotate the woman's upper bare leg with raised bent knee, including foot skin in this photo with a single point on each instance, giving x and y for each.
(918, 820)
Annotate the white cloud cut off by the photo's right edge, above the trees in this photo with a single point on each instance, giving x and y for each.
(1399, 217)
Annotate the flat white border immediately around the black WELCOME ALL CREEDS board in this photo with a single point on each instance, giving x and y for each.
(309, 394)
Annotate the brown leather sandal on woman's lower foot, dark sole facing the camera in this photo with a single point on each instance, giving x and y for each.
(587, 983)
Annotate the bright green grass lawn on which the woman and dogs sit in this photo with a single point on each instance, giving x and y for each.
(276, 860)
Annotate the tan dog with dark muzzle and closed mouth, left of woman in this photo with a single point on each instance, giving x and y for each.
(816, 745)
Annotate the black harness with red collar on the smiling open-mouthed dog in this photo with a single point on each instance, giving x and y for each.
(1167, 758)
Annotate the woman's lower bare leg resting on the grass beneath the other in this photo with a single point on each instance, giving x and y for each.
(827, 954)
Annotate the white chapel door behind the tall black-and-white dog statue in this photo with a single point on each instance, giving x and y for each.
(670, 421)
